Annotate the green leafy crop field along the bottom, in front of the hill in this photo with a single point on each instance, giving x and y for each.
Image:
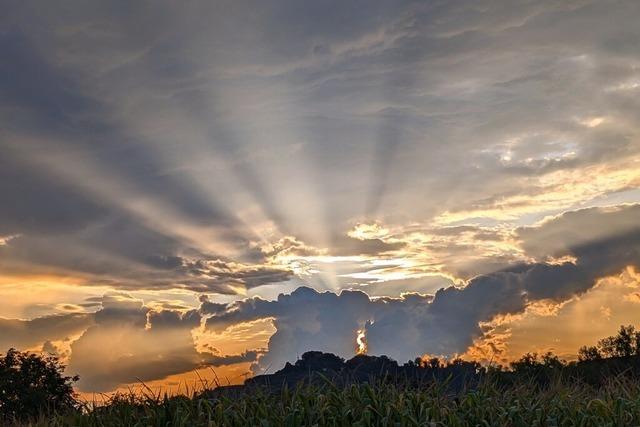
(560, 403)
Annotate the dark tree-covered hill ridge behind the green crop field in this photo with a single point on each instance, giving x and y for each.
(612, 357)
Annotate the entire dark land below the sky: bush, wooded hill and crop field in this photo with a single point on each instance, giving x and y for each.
(602, 388)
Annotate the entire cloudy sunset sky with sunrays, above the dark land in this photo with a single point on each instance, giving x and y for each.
(208, 189)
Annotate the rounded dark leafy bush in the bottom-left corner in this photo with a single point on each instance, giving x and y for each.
(32, 385)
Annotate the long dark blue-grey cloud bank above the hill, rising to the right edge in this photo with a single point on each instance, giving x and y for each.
(446, 323)
